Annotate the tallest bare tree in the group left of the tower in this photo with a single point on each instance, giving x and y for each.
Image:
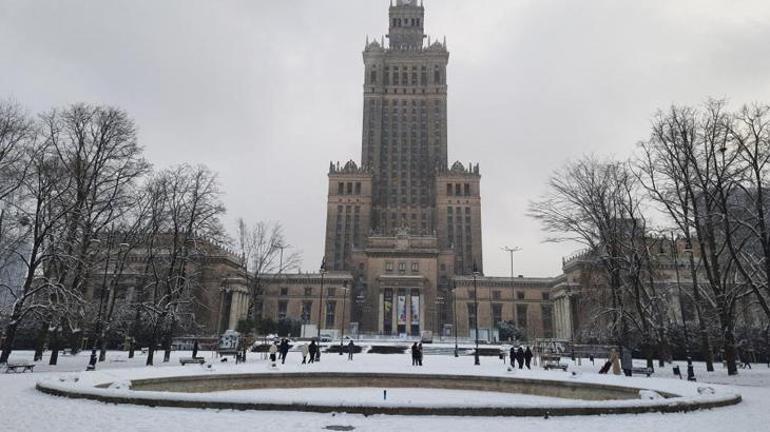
(98, 150)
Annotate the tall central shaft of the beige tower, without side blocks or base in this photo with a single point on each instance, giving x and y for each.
(405, 122)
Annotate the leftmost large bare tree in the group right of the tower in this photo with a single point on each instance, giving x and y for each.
(596, 203)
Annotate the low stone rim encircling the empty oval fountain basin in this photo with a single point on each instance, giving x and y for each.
(144, 393)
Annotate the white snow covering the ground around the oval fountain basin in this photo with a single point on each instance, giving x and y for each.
(22, 408)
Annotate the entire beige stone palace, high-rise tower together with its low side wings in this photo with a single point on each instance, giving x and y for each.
(403, 226)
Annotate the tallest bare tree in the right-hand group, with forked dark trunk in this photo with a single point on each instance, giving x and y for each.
(692, 168)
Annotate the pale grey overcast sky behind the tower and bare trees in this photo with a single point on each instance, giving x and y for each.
(268, 92)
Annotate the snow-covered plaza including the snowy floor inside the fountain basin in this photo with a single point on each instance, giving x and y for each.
(23, 408)
